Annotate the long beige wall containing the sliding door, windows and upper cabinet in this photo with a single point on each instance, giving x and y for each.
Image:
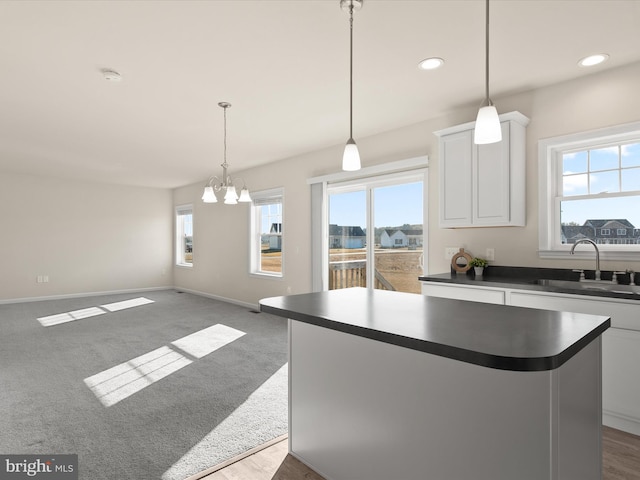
(221, 231)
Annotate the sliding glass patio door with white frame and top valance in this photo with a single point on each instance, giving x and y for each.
(354, 213)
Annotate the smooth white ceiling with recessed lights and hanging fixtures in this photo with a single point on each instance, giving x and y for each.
(283, 65)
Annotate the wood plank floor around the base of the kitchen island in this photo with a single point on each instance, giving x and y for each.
(621, 461)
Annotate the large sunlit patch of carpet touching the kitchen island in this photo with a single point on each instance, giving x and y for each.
(262, 417)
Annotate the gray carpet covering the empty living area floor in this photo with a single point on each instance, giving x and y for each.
(217, 405)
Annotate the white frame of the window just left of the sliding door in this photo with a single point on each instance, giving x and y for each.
(259, 199)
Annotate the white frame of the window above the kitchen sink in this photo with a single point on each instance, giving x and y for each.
(550, 153)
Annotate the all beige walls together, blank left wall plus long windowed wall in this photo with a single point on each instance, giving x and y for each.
(100, 238)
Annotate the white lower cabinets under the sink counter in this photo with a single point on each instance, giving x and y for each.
(620, 343)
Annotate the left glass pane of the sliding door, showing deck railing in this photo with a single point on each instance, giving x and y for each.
(347, 240)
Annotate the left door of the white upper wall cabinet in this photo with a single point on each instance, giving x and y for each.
(455, 179)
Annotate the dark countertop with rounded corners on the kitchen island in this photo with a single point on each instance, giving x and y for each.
(495, 336)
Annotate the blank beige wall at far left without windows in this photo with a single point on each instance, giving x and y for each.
(86, 237)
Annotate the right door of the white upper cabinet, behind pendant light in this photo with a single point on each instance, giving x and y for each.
(492, 181)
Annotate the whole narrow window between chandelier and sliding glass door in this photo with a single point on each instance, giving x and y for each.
(266, 233)
